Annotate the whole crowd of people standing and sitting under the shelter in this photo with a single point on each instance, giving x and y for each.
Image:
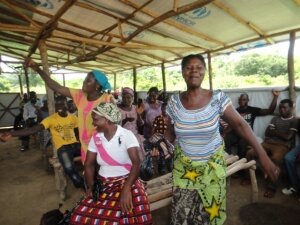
(186, 133)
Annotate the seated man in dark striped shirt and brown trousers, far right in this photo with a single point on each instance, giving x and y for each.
(280, 136)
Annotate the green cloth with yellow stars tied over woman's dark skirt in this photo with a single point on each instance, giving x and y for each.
(208, 179)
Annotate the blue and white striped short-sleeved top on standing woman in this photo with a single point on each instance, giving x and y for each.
(197, 131)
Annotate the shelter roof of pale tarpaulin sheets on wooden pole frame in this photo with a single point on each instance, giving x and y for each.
(120, 35)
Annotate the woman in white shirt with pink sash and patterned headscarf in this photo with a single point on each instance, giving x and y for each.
(122, 198)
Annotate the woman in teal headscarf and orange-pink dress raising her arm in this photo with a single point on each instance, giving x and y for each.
(92, 93)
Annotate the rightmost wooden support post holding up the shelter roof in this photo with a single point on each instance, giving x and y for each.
(291, 69)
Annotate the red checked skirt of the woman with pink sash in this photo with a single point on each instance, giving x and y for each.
(107, 210)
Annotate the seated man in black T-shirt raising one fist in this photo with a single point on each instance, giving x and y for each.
(249, 113)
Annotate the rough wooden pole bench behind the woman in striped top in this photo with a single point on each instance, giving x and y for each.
(160, 189)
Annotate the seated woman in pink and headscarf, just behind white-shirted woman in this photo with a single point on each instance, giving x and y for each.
(131, 120)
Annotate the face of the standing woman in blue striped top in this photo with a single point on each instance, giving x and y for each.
(193, 73)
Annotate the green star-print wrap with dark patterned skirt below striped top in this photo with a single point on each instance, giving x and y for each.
(199, 193)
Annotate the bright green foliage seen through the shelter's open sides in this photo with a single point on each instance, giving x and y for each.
(249, 71)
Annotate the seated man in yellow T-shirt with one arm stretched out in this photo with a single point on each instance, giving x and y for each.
(61, 125)
